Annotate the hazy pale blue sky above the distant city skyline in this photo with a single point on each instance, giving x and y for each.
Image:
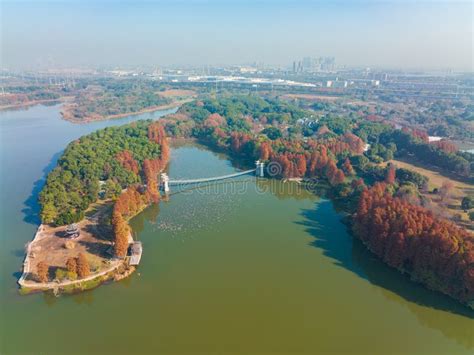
(396, 34)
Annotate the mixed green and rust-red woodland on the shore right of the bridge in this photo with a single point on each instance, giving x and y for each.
(346, 154)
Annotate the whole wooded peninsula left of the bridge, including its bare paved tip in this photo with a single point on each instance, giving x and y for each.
(101, 181)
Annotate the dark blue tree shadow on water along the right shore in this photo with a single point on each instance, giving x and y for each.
(333, 238)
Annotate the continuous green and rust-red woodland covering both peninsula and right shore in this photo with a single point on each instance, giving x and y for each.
(388, 206)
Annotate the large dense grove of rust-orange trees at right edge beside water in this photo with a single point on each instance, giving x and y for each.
(412, 239)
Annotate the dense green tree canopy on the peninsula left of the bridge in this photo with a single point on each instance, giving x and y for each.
(104, 162)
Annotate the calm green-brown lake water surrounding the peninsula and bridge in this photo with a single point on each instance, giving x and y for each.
(248, 267)
